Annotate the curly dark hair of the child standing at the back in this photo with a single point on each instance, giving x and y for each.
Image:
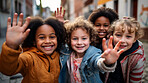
(106, 12)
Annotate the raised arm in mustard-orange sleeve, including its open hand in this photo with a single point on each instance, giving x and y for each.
(14, 37)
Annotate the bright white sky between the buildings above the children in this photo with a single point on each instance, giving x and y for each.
(52, 4)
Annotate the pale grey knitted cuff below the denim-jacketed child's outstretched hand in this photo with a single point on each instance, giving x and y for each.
(101, 65)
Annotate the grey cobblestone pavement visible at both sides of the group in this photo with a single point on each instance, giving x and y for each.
(17, 78)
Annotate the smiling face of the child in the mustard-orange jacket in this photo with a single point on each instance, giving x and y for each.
(46, 40)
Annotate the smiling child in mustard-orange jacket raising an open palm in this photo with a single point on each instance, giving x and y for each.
(40, 60)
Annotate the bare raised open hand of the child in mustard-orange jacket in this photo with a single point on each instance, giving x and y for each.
(16, 33)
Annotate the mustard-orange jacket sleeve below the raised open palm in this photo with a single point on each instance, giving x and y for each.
(9, 60)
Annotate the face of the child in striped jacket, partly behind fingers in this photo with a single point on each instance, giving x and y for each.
(127, 38)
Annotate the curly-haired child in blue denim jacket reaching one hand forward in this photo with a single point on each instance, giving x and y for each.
(83, 63)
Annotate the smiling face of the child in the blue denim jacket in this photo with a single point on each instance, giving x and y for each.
(80, 40)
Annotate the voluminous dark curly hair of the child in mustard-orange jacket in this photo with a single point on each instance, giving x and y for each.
(36, 22)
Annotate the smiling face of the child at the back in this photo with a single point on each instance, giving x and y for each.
(102, 24)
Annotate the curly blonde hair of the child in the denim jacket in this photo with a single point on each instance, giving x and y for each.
(79, 22)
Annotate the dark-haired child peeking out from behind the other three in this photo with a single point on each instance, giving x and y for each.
(102, 18)
